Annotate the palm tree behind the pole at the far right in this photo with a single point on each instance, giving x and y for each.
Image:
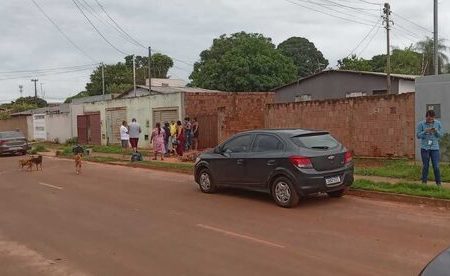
(426, 48)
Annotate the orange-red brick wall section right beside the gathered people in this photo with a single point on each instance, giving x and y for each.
(234, 112)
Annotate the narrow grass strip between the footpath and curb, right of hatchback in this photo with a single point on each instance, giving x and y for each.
(403, 189)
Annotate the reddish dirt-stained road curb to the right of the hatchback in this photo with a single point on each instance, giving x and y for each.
(416, 200)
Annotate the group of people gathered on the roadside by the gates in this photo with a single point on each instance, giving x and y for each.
(170, 138)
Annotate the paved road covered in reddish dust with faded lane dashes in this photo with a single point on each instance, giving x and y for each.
(112, 220)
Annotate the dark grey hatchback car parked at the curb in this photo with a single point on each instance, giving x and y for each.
(287, 163)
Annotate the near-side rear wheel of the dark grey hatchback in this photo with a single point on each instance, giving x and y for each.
(284, 193)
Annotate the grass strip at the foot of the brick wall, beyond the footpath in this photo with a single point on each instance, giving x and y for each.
(402, 169)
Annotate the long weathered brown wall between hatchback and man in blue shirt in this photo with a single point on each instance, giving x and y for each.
(376, 126)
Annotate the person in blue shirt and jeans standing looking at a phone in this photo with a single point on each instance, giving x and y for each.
(429, 132)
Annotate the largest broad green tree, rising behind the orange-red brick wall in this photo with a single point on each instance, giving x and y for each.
(242, 62)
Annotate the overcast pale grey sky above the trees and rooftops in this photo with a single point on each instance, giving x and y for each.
(182, 29)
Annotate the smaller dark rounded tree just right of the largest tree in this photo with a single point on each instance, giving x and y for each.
(306, 56)
